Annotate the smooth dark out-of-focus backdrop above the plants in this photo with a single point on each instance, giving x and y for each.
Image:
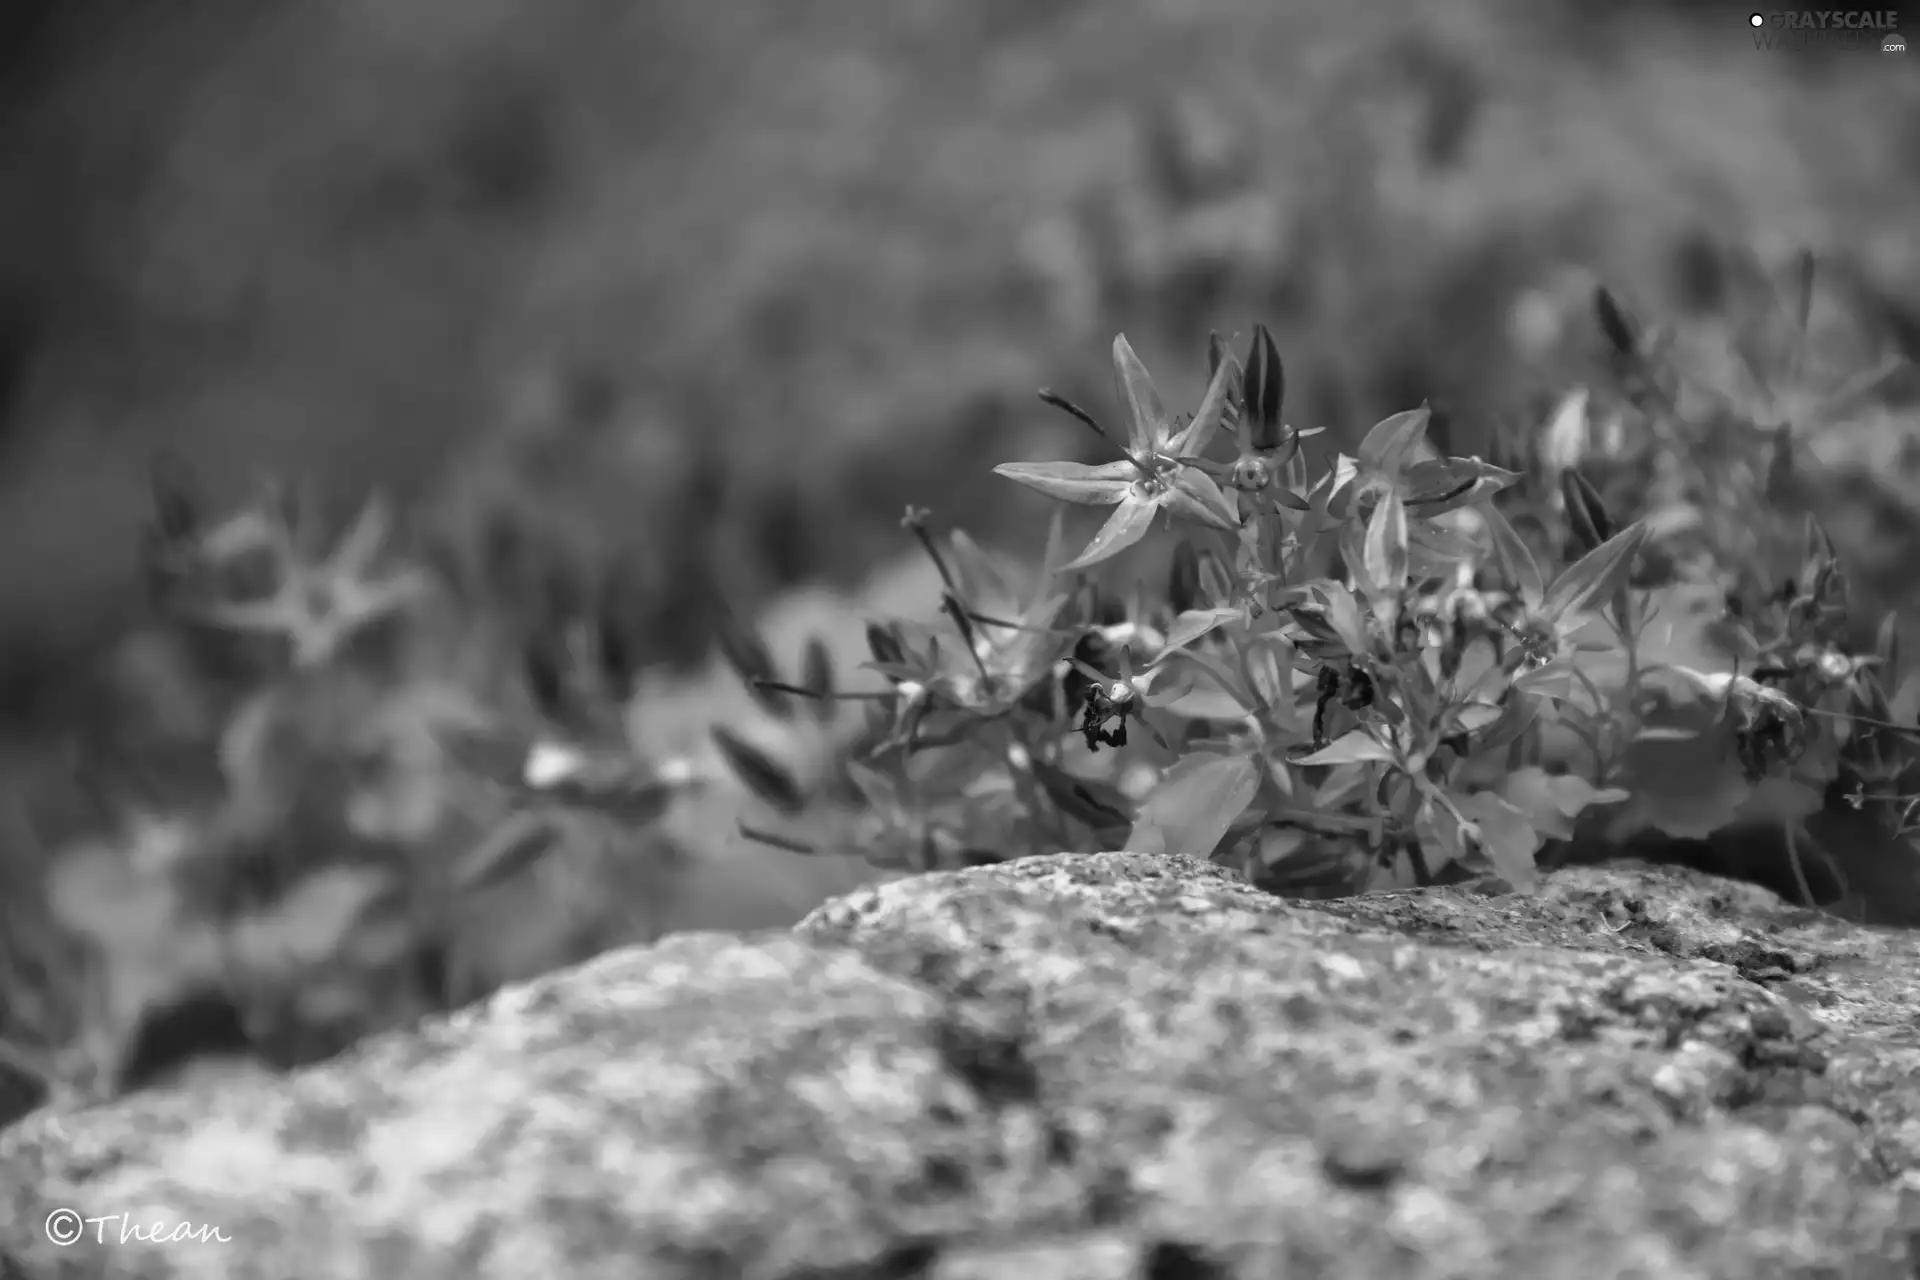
(731, 285)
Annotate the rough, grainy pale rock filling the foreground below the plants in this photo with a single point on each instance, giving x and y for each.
(1092, 1068)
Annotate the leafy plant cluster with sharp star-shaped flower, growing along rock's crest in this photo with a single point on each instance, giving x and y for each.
(1406, 669)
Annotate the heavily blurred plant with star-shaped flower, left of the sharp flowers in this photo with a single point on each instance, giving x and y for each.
(379, 809)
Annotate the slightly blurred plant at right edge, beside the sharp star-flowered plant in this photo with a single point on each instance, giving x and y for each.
(1783, 498)
